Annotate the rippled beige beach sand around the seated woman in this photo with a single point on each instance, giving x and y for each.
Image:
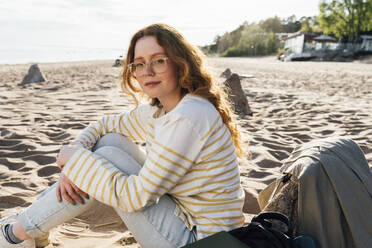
(292, 103)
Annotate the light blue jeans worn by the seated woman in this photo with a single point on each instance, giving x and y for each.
(154, 226)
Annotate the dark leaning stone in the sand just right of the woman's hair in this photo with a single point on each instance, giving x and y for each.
(237, 96)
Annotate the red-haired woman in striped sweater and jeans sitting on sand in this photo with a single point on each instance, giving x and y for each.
(185, 187)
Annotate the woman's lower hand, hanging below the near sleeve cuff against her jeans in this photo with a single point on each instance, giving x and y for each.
(69, 191)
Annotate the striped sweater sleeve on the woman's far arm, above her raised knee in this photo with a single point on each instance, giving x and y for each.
(130, 124)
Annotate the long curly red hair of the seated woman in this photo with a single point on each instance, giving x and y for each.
(192, 76)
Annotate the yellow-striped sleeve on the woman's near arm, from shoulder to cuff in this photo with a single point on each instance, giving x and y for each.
(170, 157)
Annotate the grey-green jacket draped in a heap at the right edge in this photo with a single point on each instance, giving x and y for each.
(334, 192)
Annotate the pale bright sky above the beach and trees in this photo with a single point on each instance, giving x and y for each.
(111, 23)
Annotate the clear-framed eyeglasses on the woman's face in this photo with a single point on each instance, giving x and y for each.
(158, 65)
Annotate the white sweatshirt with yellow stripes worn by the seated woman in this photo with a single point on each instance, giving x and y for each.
(190, 155)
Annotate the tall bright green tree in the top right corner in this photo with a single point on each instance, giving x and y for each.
(345, 18)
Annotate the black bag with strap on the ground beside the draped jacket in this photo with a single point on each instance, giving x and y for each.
(261, 234)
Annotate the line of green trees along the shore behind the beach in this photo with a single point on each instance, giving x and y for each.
(344, 19)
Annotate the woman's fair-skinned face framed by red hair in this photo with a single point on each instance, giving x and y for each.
(162, 85)
